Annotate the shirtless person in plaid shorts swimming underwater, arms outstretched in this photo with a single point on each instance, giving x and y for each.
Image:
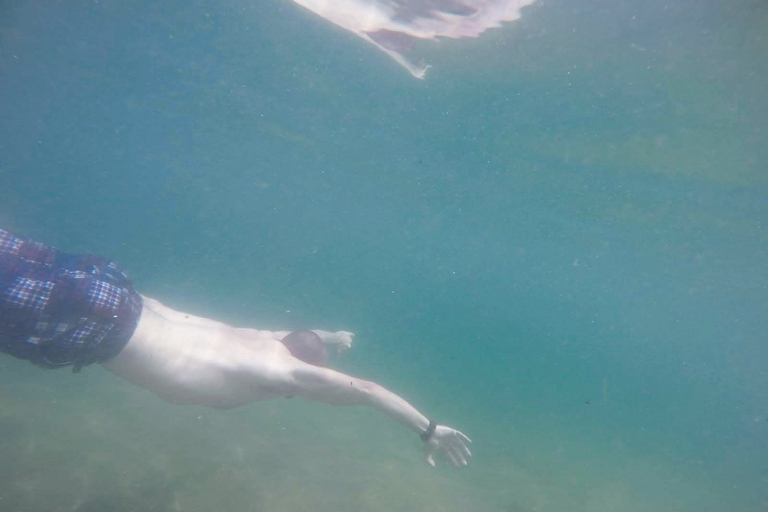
(59, 309)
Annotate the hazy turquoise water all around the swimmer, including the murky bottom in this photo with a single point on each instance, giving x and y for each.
(555, 243)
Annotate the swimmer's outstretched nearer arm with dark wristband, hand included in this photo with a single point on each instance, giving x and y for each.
(335, 388)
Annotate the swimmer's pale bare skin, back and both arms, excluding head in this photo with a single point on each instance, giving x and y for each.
(186, 359)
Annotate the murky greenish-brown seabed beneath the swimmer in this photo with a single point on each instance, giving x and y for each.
(91, 443)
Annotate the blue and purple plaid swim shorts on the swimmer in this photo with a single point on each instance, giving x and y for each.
(59, 309)
